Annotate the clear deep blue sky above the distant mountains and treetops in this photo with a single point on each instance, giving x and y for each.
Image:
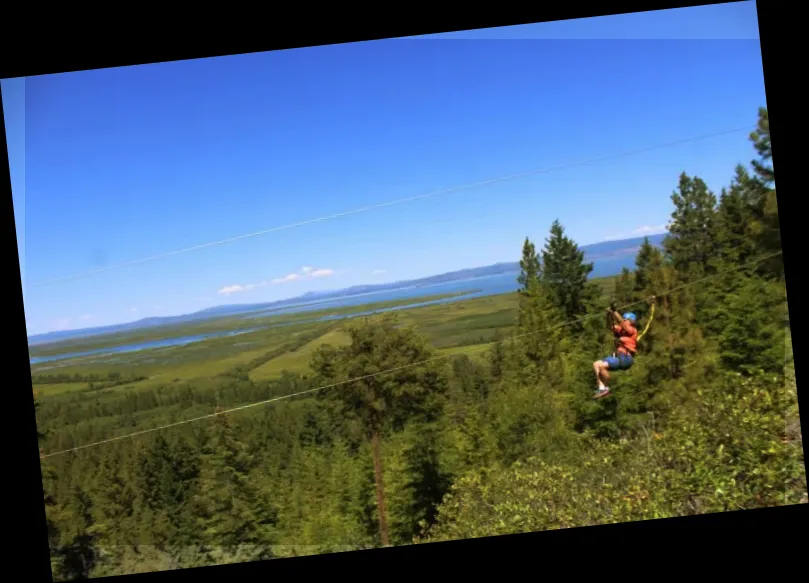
(114, 165)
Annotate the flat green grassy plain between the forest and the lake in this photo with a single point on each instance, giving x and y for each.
(283, 342)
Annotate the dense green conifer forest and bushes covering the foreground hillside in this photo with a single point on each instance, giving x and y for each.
(403, 439)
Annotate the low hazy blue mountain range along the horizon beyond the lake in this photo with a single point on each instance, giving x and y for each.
(609, 258)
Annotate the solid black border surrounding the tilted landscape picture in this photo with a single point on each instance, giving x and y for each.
(736, 539)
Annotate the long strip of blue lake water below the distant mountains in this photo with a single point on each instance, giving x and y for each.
(476, 287)
